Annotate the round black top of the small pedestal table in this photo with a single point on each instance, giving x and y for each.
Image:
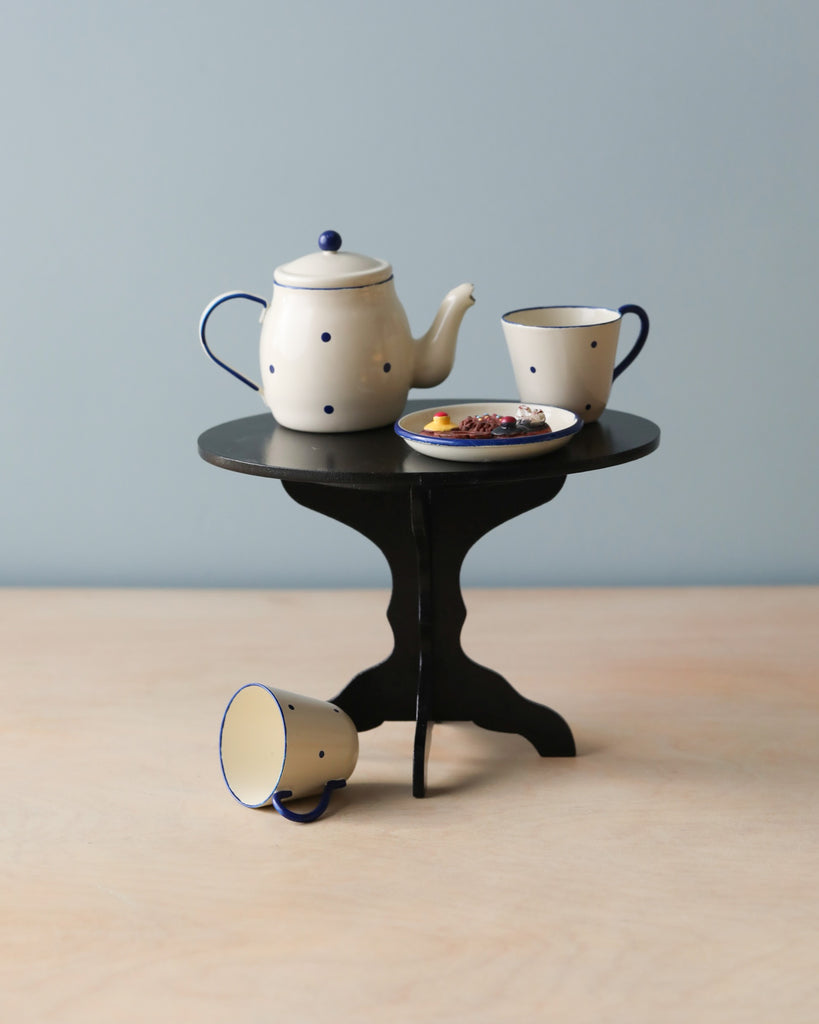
(257, 445)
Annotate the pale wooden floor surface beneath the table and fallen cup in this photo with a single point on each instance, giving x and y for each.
(668, 874)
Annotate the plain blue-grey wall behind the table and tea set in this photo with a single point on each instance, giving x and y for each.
(586, 152)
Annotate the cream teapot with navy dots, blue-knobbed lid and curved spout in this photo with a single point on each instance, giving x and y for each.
(336, 350)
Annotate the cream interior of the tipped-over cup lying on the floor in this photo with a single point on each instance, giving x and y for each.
(252, 745)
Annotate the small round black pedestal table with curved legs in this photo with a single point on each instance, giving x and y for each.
(425, 515)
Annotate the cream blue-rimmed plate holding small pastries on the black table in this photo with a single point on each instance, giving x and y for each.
(565, 425)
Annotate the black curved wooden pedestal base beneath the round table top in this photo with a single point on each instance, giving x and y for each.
(425, 535)
